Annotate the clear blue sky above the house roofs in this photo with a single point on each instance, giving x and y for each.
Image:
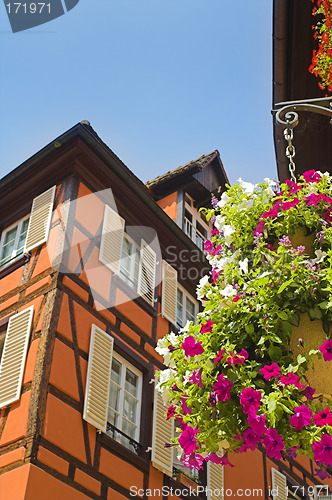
(162, 82)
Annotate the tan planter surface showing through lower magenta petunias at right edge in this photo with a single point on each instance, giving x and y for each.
(313, 335)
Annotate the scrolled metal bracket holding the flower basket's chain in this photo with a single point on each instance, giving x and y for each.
(289, 110)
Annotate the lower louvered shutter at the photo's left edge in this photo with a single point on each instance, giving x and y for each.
(14, 355)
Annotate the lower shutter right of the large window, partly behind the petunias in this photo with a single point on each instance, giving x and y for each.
(162, 432)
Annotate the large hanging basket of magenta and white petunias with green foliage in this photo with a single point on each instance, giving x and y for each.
(245, 374)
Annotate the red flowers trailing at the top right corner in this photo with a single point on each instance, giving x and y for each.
(321, 65)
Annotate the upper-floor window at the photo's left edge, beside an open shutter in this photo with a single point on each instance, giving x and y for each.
(13, 240)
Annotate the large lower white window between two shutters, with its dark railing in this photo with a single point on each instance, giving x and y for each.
(124, 402)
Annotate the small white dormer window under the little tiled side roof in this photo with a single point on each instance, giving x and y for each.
(195, 225)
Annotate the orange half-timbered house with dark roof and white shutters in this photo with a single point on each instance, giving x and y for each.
(95, 267)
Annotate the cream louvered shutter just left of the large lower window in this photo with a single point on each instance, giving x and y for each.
(98, 378)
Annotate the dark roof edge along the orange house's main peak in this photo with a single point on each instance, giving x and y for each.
(114, 163)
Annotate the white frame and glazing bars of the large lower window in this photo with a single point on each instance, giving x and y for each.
(125, 364)
